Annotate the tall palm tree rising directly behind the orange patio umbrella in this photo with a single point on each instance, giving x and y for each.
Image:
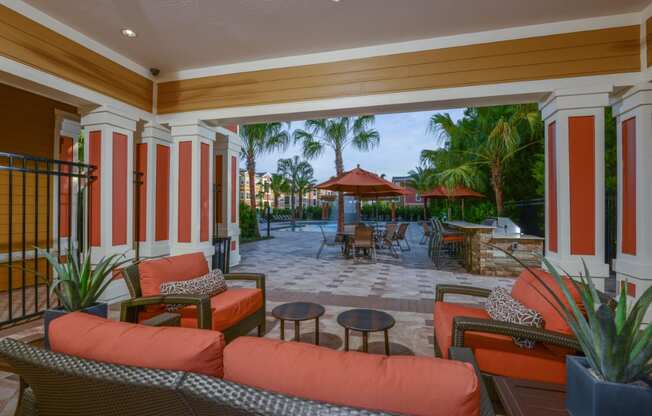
(336, 134)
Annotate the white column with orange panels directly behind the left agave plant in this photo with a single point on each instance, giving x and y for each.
(109, 144)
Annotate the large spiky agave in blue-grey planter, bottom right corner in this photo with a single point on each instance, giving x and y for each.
(613, 376)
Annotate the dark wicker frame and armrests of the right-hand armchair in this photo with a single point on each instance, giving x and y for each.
(462, 324)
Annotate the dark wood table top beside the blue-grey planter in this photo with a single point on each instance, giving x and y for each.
(531, 398)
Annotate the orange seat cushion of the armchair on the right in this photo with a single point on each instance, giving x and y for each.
(497, 354)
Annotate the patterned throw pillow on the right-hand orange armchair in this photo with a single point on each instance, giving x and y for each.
(502, 307)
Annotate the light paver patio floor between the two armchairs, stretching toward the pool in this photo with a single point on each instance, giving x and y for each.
(403, 287)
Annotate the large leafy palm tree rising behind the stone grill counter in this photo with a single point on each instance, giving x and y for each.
(486, 137)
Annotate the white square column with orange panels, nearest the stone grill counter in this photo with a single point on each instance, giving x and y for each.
(575, 207)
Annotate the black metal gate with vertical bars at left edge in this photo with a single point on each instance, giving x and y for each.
(44, 204)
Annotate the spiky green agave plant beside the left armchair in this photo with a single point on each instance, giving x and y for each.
(77, 285)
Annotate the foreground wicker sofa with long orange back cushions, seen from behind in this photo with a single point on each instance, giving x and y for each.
(99, 368)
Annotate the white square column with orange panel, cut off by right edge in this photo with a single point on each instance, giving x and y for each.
(633, 263)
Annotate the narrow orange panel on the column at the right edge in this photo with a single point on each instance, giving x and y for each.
(628, 244)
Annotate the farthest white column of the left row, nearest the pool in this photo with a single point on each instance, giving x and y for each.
(227, 191)
